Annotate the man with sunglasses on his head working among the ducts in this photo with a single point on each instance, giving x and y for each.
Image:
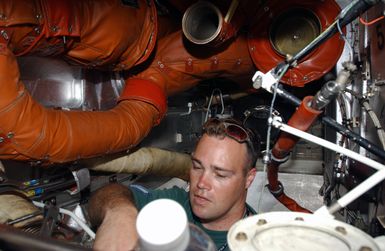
(222, 171)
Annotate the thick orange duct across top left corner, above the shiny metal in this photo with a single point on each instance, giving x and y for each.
(106, 34)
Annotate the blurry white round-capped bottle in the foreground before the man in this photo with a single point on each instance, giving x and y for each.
(162, 226)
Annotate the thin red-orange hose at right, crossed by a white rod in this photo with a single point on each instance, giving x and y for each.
(302, 119)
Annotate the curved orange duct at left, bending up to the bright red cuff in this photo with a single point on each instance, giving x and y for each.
(28, 131)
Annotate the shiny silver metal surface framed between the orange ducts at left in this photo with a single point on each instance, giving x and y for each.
(55, 83)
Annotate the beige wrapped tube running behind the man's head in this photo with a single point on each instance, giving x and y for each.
(149, 160)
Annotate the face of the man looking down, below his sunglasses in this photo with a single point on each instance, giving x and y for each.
(218, 184)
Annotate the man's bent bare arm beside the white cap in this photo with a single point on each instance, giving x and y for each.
(112, 209)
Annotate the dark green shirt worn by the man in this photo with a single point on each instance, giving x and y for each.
(142, 197)
